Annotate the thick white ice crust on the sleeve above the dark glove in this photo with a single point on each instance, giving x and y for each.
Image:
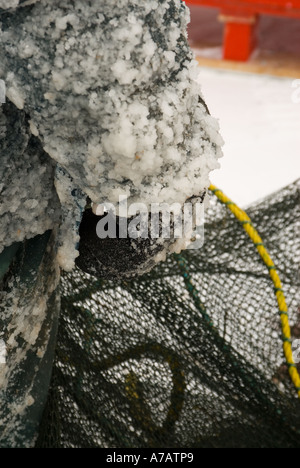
(112, 95)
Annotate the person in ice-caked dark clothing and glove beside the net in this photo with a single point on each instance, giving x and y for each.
(102, 101)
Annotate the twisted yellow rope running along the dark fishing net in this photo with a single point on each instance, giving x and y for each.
(256, 239)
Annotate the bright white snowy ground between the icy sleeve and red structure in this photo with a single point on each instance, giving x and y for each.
(260, 124)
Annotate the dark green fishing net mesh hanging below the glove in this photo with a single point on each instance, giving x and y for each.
(189, 355)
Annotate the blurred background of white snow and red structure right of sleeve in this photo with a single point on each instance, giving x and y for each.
(253, 89)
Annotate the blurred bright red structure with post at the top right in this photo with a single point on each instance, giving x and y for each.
(241, 17)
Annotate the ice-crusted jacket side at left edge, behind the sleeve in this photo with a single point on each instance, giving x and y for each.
(28, 202)
